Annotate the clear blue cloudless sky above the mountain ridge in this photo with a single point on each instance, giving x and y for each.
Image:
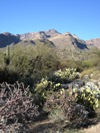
(80, 17)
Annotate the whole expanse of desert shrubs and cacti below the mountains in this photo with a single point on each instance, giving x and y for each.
(40, 81)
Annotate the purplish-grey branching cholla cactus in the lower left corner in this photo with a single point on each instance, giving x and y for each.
(16, 104)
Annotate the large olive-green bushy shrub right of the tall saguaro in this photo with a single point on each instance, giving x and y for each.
(33, 62)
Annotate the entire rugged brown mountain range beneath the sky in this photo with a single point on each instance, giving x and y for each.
(51, 37)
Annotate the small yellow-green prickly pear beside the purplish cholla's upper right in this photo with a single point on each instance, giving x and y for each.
(44, 89)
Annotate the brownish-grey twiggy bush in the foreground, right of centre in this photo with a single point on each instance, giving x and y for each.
(62, 106)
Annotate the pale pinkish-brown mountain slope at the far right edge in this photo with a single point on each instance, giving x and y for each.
(94, 42)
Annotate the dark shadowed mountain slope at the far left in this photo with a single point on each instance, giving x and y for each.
(7, 38)
